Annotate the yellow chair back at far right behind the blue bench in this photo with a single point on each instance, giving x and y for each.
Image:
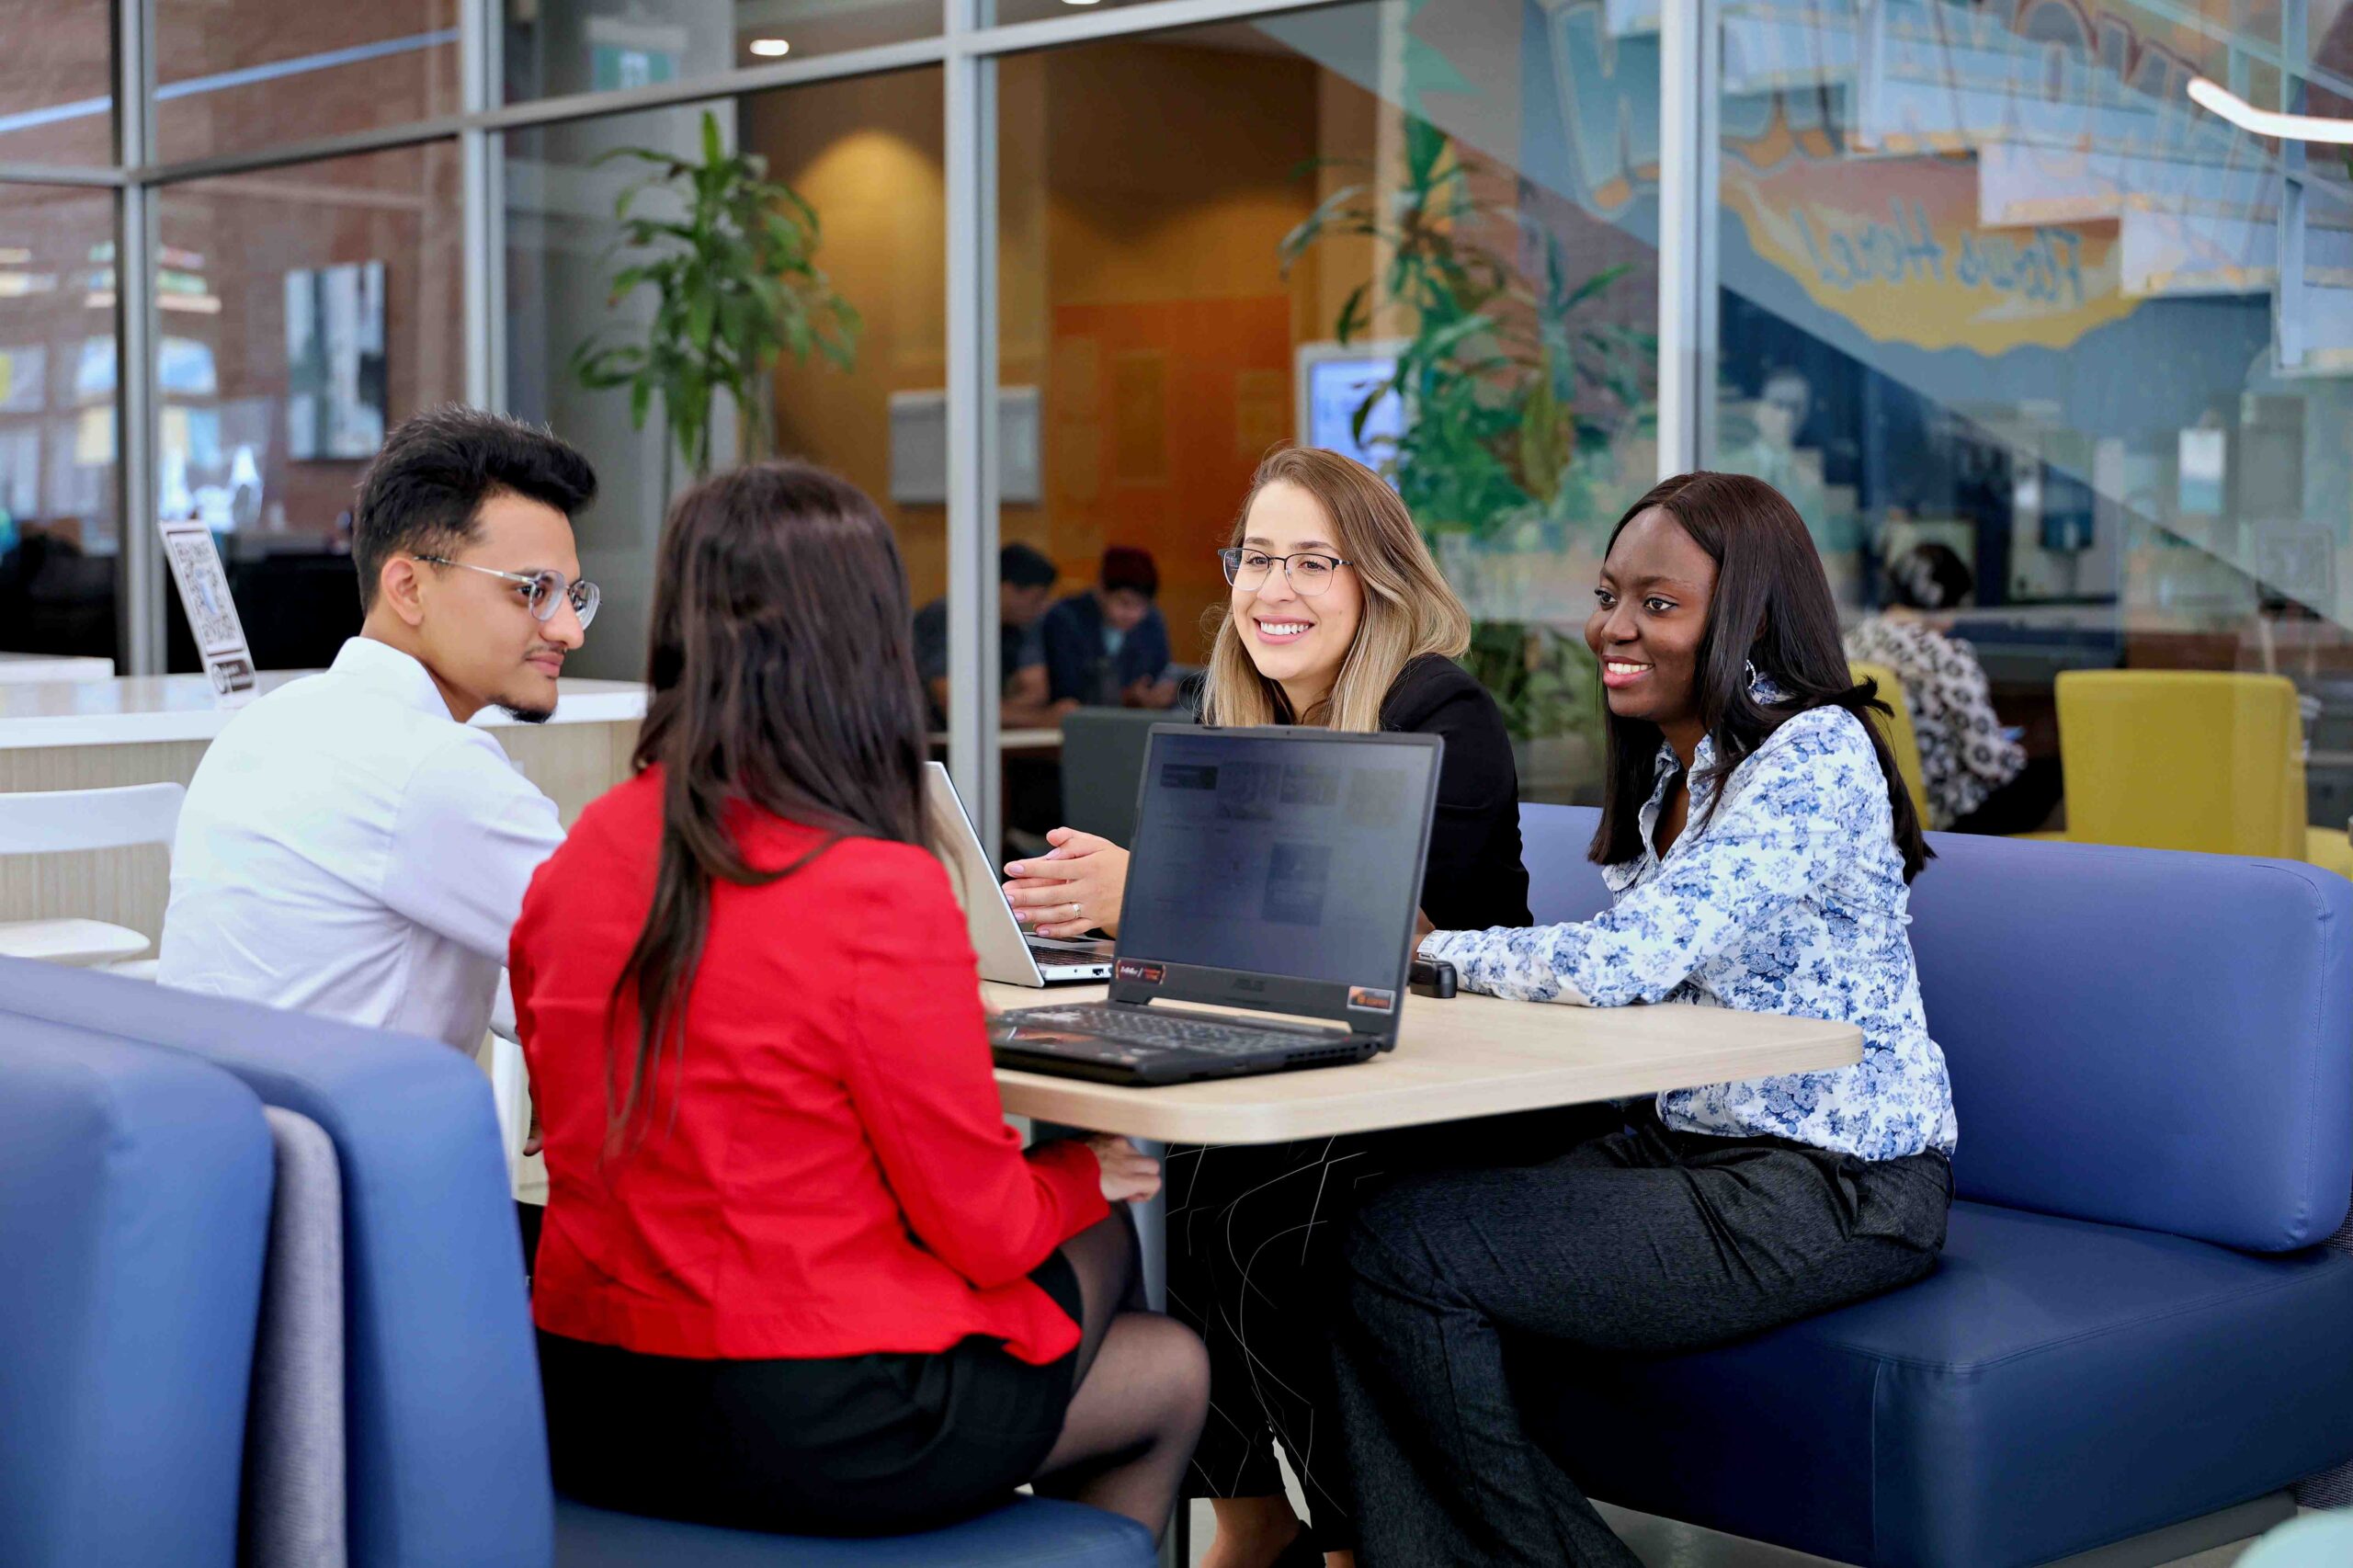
(2175, 759)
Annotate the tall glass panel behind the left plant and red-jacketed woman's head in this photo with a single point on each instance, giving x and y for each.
(865, 159)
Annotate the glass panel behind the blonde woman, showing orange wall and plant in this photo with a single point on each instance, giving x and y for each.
(1225, 239)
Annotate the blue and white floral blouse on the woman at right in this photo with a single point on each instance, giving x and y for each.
(1789, 901)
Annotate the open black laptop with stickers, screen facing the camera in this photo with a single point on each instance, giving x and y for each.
(1274, 870)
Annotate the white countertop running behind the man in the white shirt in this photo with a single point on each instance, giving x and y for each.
(145, 710)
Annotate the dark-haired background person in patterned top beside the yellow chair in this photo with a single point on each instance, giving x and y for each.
(1975, 773)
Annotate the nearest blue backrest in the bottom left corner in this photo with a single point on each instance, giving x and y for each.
(135, 1200)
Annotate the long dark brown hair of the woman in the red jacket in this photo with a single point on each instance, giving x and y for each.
(785, 682)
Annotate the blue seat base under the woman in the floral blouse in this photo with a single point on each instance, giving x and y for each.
(2053, 1388)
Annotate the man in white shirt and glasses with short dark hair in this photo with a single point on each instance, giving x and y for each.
(349, 844)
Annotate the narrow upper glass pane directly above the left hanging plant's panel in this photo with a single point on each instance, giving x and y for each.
(592, 46)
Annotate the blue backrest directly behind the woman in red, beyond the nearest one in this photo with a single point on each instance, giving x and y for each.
(446, 1442)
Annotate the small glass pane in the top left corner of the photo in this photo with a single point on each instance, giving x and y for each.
(58, 81)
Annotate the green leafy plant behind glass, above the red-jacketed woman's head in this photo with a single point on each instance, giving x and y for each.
(735, 279)
